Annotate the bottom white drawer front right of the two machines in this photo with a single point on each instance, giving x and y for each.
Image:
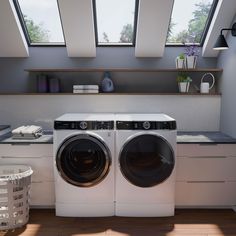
(205, 193)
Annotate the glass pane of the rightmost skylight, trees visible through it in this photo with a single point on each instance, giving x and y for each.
(189, 21)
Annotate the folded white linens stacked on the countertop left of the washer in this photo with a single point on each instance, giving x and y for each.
(27, 132)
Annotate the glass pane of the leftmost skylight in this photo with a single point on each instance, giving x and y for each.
(41, 21)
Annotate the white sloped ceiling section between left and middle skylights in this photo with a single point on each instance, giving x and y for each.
(78, 24)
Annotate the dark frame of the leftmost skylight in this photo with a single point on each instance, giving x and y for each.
(26, 33)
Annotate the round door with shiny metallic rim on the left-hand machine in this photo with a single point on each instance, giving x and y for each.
(83, 160)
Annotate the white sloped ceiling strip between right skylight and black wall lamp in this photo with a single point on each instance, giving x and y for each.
(224, 14)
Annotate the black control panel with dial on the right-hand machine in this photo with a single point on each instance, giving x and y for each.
(145, 125)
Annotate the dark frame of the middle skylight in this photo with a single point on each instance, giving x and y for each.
(136, 8)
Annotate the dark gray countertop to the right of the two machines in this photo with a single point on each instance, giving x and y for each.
(204, 137)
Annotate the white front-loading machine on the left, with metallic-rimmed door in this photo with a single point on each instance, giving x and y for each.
(84, 165)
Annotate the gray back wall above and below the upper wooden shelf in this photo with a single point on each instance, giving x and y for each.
(15, 79)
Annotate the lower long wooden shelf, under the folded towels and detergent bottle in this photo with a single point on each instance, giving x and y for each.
(107, 94)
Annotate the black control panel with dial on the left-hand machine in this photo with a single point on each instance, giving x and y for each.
(83, 125)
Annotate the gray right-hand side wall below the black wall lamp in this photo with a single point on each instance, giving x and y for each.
(227, 86)
